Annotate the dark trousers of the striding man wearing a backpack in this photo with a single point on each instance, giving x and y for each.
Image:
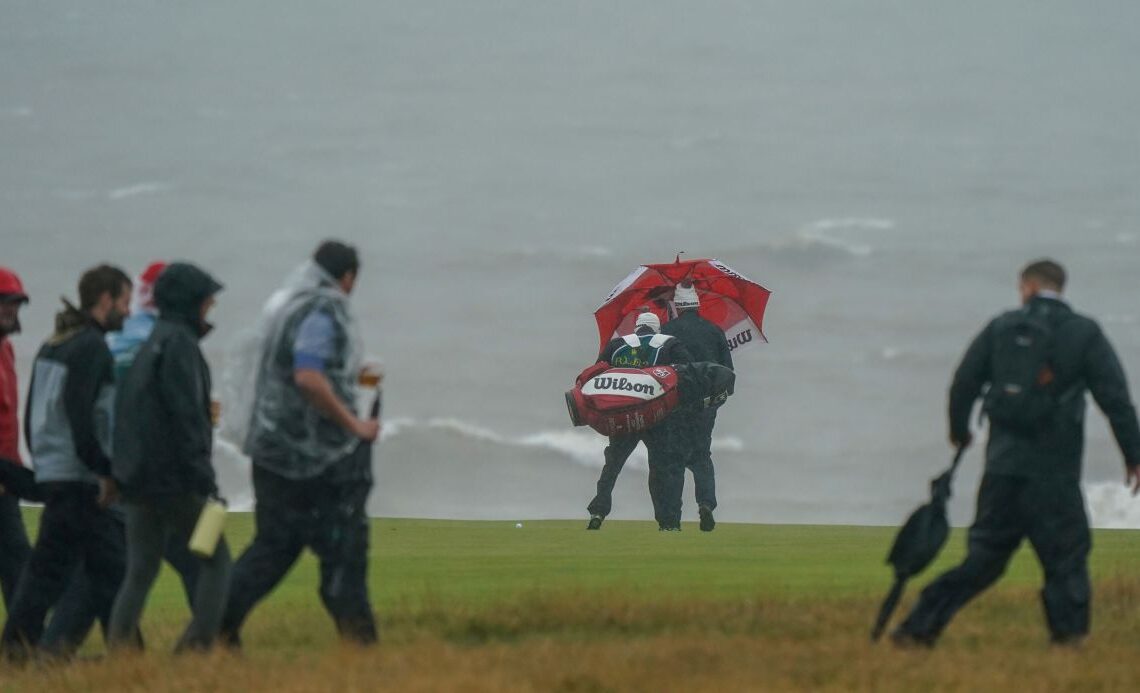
(1051, 513)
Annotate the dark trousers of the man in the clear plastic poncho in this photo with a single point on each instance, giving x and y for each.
(327, 515)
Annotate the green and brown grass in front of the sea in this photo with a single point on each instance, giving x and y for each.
(488, 607)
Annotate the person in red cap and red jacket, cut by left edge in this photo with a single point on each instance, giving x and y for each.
(14, 547)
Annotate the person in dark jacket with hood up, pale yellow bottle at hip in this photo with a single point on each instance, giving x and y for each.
(162, 459)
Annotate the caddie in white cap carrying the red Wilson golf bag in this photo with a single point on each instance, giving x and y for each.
(639, 350)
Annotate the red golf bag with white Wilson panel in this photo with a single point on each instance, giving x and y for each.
(618, 402)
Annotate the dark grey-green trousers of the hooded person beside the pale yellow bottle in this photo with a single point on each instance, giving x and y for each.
(164, 526)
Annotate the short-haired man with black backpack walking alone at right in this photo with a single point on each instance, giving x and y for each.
(1036, 365)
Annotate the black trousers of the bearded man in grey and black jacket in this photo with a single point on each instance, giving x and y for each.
(74, 531)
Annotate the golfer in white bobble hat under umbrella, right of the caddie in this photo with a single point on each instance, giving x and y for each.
(705, 343)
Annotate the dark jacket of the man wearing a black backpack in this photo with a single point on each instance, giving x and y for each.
(1084, 362)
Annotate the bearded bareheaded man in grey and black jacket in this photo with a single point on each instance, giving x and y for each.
(68, 425)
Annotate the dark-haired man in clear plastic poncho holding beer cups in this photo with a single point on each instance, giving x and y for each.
(312, 453)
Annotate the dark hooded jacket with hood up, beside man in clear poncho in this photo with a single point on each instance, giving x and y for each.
(164, 430)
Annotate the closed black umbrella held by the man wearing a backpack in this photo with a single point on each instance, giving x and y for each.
(918, 543)
